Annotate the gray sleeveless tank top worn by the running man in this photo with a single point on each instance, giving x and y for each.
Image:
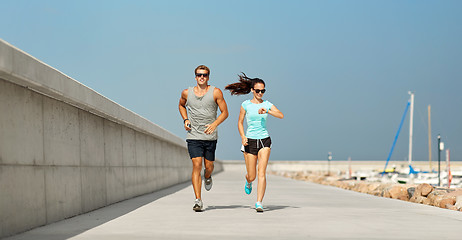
(201, 111)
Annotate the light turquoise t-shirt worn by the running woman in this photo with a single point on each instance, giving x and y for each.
(256, 123)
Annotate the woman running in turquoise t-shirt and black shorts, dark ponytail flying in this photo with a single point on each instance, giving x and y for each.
(256, 142)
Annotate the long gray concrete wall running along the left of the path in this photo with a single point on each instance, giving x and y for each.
(66, 150)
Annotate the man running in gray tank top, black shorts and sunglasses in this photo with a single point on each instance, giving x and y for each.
(198, 108)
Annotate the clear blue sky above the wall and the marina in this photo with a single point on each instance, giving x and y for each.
(339, 70)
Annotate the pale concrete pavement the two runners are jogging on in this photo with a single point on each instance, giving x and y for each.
(293, 210)
